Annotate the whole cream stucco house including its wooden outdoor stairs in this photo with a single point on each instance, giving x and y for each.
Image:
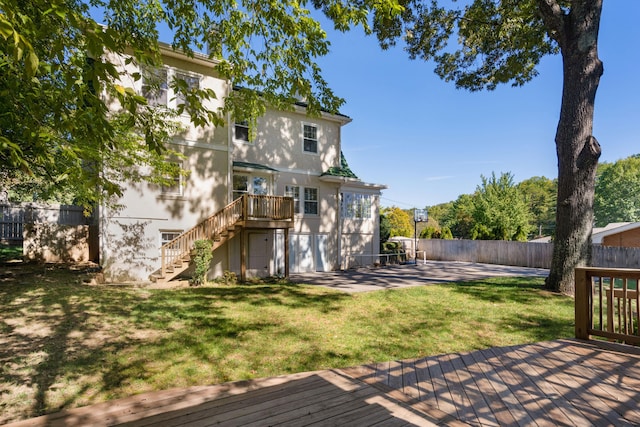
(281, 201)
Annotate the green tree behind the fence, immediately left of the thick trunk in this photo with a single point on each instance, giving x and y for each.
(540, 194)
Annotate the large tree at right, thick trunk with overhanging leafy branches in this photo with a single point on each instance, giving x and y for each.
(498, 42)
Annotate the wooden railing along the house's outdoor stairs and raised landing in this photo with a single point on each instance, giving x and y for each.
(247, 207)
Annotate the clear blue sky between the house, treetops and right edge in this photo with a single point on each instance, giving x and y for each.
(430, 142)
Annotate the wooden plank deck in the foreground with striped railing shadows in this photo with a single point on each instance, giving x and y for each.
(564, 382)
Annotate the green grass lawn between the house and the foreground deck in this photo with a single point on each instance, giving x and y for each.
(64, 343)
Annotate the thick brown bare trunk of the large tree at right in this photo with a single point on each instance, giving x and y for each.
(578, 151)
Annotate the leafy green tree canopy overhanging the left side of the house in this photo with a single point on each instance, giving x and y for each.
(55, 79)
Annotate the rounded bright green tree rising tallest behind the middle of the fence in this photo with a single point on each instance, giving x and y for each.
(500, 212)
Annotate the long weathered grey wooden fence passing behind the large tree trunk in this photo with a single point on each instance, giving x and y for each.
(522, 254)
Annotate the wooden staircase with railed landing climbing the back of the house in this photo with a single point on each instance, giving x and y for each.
(248, 211)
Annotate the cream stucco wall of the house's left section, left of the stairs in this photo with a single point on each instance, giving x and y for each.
(130, 237)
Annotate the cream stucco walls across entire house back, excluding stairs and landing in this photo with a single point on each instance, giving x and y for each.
(131, 237)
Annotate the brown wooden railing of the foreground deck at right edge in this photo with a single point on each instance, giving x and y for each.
(607, 304)
